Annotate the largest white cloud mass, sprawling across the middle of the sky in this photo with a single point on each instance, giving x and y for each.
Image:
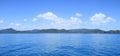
(58, 22)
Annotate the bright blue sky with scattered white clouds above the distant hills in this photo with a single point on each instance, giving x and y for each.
(59, 14)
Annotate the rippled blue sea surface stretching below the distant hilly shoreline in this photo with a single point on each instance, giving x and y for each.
(60, 44)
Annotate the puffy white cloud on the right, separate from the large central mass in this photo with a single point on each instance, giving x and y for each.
(100, 18)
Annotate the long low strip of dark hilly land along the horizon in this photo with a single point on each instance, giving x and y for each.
(11, 30)
